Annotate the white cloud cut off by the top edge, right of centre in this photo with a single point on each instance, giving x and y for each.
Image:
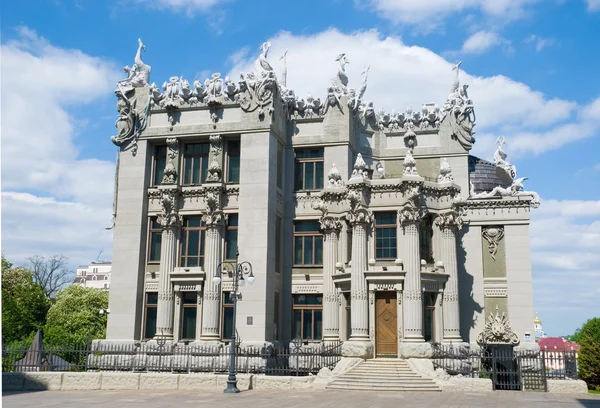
(433, 12)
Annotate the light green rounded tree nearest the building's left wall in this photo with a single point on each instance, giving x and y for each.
(75, 317)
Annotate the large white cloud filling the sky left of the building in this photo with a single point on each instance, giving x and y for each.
(53, 201)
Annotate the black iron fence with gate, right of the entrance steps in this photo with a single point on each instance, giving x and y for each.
(508, 369)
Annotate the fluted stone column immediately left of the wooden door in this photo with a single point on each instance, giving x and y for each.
(358, 290)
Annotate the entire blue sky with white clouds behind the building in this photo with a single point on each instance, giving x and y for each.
(532, 66)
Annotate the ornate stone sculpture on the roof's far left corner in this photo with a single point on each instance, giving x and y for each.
(133, 103)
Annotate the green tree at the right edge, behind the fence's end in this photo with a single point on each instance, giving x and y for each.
(588, 338)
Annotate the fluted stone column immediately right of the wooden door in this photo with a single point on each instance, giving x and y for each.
(413, 306)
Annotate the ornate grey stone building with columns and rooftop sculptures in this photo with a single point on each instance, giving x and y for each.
(376, 229)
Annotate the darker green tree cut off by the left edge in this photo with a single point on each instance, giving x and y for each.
(24, 304)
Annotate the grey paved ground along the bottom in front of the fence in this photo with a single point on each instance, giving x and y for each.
(292, 399)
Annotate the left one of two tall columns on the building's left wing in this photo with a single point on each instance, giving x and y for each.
(168, 261)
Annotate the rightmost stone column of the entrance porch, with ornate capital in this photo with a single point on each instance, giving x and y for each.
(450, 306)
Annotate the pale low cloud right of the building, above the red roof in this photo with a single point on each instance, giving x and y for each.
(565, 237)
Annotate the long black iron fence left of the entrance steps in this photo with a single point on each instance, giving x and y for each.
(293, 359)
